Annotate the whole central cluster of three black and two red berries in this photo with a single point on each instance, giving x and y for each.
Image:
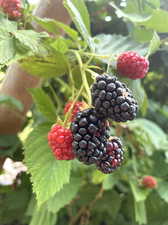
(88, 138)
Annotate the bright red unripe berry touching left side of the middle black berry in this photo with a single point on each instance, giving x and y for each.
(60, 140)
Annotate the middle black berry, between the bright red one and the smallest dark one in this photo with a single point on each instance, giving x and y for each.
(89, 136)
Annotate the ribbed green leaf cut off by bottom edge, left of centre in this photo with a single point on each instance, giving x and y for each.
(43, 217)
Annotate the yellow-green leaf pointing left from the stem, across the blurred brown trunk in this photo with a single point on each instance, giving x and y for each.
(46, 67)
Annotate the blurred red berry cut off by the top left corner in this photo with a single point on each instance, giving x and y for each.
(11, 7)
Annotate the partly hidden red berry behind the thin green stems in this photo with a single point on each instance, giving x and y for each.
(78, 106)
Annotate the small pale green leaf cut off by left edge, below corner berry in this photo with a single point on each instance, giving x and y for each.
(7, 49)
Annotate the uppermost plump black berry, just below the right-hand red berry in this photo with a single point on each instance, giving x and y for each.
(112, 99)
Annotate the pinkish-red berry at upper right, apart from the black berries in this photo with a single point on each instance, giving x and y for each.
(132, 65)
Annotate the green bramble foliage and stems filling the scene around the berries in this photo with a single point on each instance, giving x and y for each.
(66, 191)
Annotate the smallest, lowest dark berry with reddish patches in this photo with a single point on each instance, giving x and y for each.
(113, 156)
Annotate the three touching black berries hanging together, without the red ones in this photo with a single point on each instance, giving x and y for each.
(90, 128)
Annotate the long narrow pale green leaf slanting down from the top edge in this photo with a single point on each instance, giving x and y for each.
(79, 20)
